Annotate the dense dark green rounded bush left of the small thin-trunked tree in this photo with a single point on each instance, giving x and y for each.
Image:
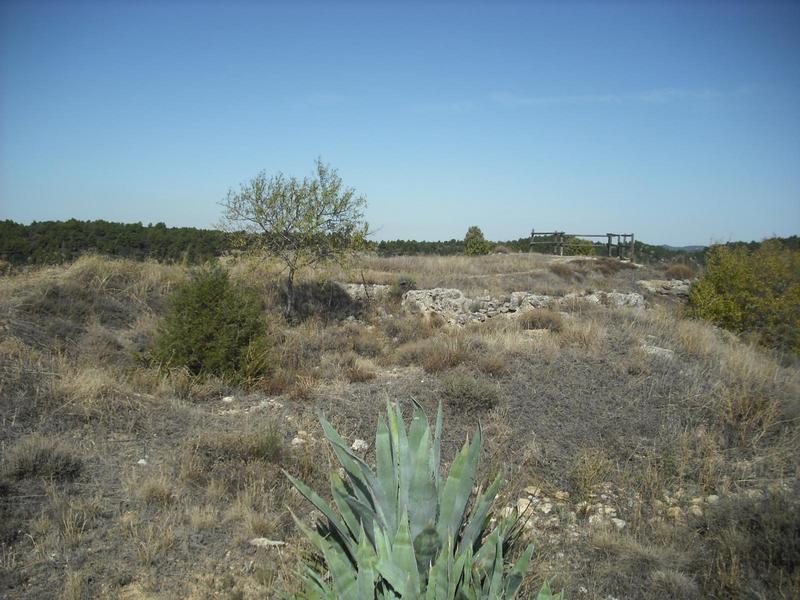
(213, 327)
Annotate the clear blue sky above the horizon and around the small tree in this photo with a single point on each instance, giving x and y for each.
(677, 121)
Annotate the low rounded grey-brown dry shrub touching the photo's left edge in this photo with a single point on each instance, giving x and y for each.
(39, 457)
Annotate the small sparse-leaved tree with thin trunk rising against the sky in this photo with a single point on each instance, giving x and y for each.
(299, 222)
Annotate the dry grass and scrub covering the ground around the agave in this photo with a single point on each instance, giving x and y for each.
(120, 479)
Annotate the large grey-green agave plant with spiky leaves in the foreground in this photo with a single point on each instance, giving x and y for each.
(402, 531)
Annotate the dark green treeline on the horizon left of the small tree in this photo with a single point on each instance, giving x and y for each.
(51, 242)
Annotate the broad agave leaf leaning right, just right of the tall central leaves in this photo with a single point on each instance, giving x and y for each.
(458, 487)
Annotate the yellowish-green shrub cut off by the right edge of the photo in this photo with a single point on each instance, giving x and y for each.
(754, 292)
